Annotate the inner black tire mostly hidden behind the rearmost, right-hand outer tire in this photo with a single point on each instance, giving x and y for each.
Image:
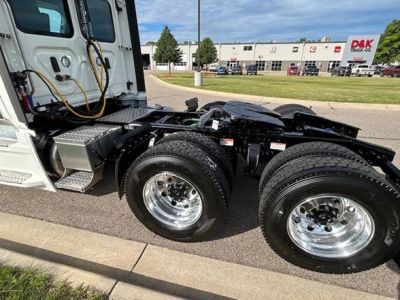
(296, 152)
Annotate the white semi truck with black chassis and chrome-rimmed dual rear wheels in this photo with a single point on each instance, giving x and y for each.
(72, 101)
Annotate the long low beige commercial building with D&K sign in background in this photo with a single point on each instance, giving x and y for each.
(272, 56)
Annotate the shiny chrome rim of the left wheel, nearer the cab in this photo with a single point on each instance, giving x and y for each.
(172, 200)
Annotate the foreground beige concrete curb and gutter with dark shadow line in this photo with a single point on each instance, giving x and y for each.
(130, 270)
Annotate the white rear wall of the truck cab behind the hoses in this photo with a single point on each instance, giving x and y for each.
(51, 40)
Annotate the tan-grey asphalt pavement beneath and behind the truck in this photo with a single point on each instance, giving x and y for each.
(241, 240)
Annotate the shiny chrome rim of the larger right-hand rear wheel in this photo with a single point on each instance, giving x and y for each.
(330, 226)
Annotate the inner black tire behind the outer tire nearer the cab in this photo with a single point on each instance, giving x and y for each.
(215, 151)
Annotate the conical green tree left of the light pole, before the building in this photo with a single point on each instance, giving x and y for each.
(167, 49)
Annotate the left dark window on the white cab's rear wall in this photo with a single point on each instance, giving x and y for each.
(43, 17)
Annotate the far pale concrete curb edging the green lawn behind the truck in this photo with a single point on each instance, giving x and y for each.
(261, 99)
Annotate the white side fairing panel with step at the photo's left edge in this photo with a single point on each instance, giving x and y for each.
(19, 162)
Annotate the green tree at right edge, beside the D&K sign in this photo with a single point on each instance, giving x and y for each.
(389, 44)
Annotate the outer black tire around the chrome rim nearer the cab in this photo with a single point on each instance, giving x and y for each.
(195, 166)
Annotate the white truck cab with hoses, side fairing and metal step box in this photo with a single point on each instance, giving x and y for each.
(52, 81)
